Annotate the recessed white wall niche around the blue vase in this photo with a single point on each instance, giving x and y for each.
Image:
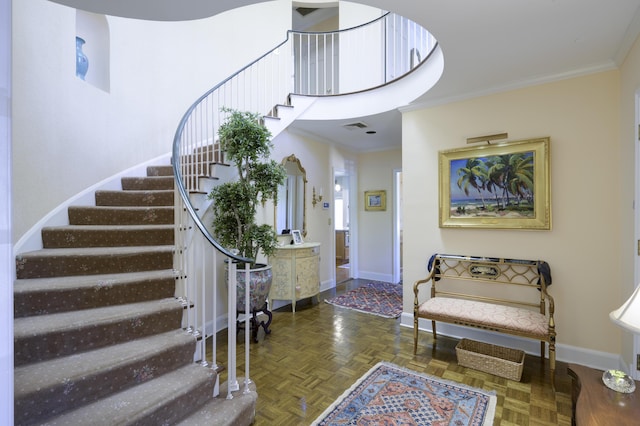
(93, 29)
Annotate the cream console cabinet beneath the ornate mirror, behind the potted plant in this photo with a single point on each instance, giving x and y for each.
(296, 272)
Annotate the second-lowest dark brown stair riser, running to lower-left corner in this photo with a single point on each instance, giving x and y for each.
(68, 395)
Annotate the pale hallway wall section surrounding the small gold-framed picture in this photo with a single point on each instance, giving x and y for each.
(375, 239)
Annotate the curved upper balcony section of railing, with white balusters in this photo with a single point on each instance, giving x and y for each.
(359, 58)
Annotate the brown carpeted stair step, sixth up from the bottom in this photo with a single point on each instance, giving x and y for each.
(92, 260)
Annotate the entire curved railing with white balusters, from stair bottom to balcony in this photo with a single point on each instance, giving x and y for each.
(313, 64)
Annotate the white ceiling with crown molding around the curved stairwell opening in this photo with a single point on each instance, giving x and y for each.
(488, 45)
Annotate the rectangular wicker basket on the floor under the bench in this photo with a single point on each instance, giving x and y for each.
(497, 360)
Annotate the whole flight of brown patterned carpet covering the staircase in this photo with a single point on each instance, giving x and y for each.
(97, 330)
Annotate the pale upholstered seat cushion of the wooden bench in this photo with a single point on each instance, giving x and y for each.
(483, 314)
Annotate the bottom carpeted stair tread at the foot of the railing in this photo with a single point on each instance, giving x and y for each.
(239, 411)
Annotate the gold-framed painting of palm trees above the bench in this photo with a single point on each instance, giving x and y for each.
(502, 186)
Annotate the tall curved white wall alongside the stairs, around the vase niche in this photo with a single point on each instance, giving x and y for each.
(68, 135)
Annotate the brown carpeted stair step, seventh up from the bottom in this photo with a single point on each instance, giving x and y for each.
(106, 235)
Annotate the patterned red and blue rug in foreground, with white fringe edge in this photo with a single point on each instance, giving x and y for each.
(391, 395)
